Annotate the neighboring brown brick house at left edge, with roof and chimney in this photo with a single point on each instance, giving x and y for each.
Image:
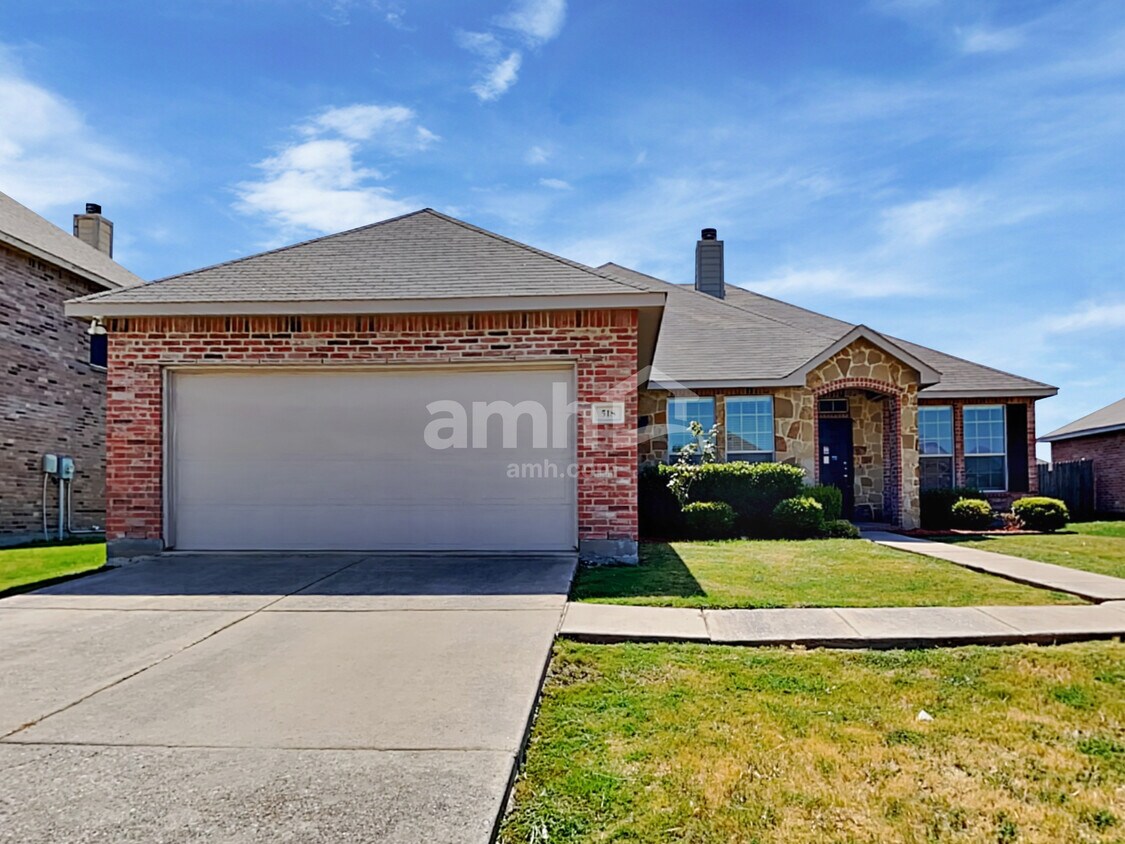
(53, 382)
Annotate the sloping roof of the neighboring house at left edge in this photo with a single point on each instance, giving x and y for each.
(26, 231)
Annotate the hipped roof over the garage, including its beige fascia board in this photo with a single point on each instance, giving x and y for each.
(424, 262)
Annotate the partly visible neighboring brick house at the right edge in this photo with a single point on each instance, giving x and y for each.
(1101, 438)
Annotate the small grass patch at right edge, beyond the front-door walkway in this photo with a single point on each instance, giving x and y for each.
(1096, 547)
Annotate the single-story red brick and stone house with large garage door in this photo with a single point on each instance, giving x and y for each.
(422, 384)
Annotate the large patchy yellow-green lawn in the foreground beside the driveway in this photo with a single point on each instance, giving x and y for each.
(685, 743)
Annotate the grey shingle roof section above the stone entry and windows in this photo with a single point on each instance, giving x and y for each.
(753, 340)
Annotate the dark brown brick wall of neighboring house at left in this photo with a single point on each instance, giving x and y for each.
(51, 399)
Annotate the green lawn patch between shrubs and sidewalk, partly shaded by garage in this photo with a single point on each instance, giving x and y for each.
(813, 573)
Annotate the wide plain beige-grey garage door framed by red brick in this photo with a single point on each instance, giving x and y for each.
(338, 460)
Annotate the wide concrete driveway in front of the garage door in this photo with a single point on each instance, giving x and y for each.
(282, 698)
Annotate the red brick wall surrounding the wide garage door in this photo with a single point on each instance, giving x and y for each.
(602, 345)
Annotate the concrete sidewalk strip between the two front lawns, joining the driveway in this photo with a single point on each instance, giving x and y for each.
(859, 627)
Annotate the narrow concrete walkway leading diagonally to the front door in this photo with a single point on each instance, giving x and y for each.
(1074, 581)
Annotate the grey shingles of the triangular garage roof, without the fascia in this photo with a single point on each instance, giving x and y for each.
(420, 256)
